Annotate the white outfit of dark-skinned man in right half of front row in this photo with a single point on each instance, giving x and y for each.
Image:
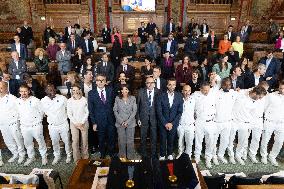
(224, 107)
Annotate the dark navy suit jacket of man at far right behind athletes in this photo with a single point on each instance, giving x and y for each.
(272, 70)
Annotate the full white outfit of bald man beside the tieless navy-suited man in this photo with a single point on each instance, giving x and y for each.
(186, 127)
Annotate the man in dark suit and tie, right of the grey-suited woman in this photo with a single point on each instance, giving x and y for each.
(146, 115)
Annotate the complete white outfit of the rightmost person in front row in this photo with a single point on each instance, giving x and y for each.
(273, 123)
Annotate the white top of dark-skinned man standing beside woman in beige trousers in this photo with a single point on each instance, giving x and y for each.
(55, 109)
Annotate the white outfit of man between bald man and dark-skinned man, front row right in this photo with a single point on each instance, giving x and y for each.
(205, 125)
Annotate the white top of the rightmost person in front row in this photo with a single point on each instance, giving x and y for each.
(274, 107)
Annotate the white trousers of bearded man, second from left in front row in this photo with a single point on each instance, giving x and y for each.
(31, 132)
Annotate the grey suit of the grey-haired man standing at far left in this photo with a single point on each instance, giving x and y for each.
(19, 70)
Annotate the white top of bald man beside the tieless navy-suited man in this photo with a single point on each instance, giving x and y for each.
(187, 117)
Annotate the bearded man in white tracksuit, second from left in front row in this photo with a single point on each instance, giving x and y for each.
(30, 116)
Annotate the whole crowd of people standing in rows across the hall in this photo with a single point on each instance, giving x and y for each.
(199, 98)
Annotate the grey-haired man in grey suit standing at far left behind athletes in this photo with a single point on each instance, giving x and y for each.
(17, 67)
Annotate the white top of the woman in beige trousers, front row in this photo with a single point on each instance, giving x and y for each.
(77, 110)
